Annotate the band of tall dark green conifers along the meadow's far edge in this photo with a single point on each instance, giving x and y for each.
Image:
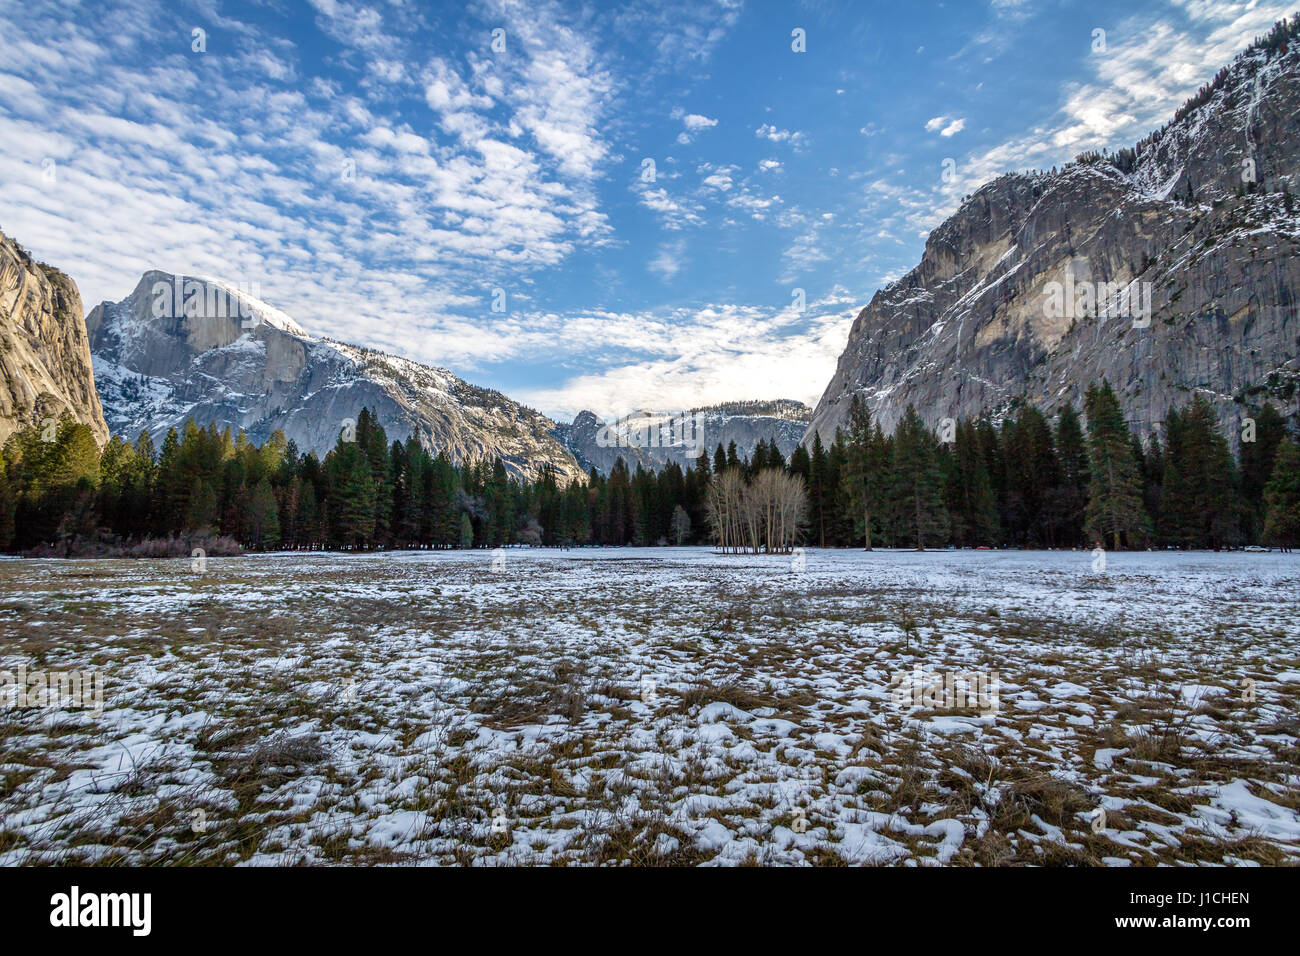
(1026, 482)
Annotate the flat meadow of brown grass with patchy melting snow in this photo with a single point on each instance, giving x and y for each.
(657, 707)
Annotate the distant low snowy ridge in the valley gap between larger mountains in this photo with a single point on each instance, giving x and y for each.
(656, 439)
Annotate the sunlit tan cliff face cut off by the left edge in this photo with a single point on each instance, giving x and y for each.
(45, 356)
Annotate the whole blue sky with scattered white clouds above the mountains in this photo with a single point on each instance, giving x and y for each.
(380, 170)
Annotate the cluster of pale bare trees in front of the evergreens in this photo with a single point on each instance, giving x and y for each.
(765, 514)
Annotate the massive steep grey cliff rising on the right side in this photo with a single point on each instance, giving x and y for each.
(1168, 270)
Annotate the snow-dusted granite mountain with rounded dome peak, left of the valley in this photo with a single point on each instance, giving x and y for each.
(181, 348)
